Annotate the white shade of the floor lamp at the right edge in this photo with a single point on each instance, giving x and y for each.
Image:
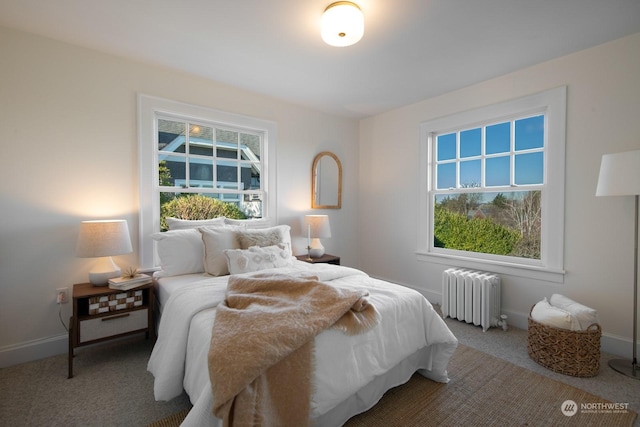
(619, 174)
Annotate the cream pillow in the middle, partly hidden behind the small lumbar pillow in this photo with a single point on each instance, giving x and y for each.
(216, 240)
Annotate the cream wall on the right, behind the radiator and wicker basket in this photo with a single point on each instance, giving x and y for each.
(603, 116)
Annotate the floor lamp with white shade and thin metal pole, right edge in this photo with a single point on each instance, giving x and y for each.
(620, 176)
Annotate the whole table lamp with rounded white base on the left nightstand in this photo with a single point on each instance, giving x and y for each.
(103, 239)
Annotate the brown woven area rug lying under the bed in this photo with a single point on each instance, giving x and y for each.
(484, 390)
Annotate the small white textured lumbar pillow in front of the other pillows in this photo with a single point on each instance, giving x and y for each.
(257, 258)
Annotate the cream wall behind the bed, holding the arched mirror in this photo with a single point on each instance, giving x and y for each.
(68, 152)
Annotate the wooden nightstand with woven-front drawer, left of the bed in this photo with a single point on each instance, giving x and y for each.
(118, 316)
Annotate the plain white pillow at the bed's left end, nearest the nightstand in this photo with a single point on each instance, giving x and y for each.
(180, 252)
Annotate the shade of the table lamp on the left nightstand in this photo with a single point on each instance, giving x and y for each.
(103, 238)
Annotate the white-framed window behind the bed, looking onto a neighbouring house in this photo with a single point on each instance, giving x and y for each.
(187, 149)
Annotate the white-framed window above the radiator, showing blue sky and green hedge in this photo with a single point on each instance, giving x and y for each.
(492, 187)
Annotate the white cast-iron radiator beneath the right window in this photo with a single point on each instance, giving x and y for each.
(471, 296)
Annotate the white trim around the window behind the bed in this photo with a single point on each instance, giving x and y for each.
(148, 108)
